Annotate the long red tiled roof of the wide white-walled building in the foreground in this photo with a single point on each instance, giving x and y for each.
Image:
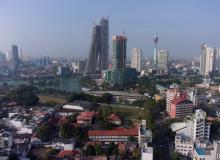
(115, 132)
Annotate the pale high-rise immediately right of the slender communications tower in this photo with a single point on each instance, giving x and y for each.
(162, 62)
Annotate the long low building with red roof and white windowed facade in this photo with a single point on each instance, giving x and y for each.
(116, 135)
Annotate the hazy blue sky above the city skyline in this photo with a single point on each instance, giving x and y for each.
(63, 27)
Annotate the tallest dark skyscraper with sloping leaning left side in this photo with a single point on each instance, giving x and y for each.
(98, 53)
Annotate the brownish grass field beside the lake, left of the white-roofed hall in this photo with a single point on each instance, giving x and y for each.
(49, 99)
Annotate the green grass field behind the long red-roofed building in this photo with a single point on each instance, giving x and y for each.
(128, 112)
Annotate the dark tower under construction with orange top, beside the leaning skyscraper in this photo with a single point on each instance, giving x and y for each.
(119, 52)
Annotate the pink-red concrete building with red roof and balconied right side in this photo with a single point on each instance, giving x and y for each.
(180, 107)
